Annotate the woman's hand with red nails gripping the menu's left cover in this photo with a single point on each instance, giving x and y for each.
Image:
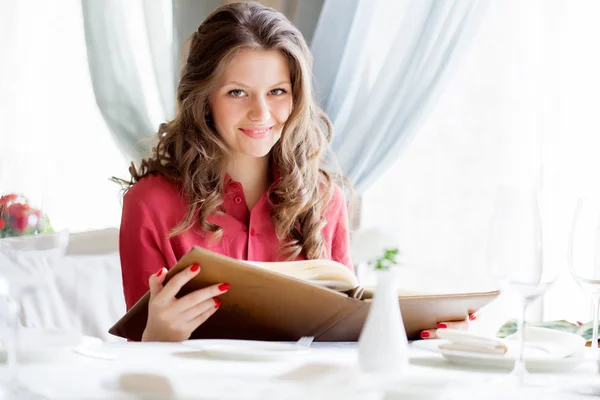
(171, 319)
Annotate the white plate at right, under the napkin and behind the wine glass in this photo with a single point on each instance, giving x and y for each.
(538, 364)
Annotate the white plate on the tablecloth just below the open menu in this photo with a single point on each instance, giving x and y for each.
(251, 350)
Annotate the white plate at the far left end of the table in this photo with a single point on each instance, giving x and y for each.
(36, 344)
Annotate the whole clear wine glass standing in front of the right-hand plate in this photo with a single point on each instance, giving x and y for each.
(515, 262)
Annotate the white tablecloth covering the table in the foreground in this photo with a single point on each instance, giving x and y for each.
(327, 371)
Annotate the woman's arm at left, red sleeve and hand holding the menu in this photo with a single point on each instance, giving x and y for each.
(143, 263)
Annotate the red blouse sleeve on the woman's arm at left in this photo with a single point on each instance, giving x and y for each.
(139, 248)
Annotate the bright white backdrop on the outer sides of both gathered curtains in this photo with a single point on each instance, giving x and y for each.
(522, 106)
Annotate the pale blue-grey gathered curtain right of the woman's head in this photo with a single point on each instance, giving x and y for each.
(379, 68)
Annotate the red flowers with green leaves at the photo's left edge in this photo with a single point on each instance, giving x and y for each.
(18, 218)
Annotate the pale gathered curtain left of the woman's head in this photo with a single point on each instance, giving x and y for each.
(131, 62)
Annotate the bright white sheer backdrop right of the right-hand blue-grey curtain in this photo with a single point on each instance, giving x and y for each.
(521, 107)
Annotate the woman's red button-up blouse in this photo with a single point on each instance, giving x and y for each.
(154, 206)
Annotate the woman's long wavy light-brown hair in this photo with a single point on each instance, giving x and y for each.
(191, 153)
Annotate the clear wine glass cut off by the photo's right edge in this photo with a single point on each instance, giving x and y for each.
(584, 256)
